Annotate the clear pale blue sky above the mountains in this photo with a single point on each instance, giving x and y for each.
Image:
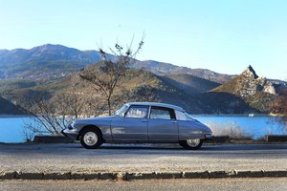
(222, 35)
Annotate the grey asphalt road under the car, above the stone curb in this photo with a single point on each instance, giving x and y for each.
(141, 158)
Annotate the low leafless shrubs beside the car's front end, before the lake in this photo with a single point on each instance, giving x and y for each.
(52, 116)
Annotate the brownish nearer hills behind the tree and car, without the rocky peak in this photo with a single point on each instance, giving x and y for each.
(189, 92)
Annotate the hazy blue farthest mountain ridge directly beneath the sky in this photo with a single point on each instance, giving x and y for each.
(49, 61)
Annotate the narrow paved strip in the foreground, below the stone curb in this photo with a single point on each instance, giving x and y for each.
(263, 184)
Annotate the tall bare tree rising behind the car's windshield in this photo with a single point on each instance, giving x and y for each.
(105, 75)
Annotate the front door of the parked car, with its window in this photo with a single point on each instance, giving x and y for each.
(133, 126)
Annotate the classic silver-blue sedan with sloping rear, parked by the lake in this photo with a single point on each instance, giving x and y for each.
(141, 122)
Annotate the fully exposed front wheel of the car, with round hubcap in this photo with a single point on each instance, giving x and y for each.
(91, 138)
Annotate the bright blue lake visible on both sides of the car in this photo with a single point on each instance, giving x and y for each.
(12, 127)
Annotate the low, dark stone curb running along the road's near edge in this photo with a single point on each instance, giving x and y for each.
(12, 175)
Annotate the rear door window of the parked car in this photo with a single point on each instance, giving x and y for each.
(161, 113)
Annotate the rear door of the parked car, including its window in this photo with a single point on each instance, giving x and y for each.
(162, 125)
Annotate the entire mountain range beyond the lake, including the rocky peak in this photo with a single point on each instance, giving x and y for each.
(52, 69)
